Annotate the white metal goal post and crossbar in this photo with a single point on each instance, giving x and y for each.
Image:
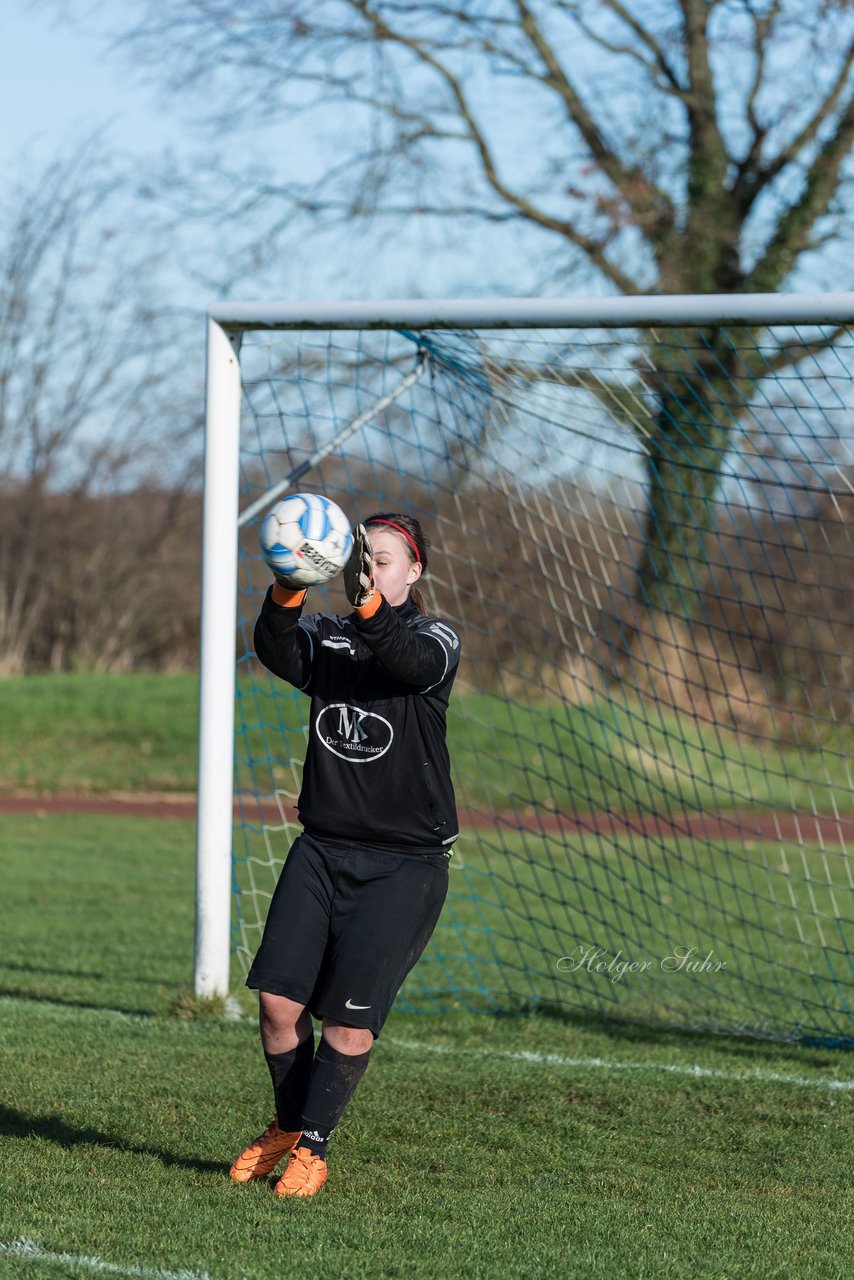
(227, 323)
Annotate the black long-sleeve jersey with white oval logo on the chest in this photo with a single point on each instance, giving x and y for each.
(377, 766)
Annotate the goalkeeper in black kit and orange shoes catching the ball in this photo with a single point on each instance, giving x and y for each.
(364, 884)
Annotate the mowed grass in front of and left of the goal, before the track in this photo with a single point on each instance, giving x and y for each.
(476, 1148)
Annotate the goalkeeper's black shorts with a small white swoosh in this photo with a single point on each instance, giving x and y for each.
(345, 927)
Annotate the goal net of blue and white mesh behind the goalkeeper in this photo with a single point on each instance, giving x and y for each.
(641, 515)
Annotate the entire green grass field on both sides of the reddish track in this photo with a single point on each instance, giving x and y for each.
(554, 1145)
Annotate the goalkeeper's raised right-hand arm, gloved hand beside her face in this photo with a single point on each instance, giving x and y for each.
(422, 656)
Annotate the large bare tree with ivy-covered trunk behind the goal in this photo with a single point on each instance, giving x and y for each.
(678, 147)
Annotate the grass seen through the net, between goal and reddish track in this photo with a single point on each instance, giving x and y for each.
(716, 935)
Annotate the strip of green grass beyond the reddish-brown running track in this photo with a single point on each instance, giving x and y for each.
(139, 733)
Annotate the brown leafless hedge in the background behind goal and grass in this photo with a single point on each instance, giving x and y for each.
(770, 650)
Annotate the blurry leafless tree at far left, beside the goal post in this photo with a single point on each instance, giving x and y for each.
(85, 394)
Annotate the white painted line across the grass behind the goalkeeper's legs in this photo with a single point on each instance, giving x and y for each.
(596, 1064)
